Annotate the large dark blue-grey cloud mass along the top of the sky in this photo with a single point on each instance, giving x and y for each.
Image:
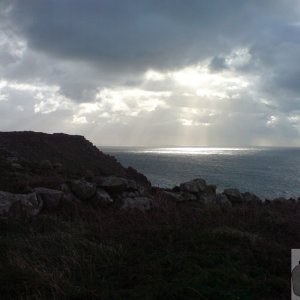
(141, 34)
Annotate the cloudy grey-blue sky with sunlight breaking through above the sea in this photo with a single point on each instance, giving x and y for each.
(153, 72)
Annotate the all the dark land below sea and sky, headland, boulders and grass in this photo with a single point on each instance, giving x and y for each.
(63, 200)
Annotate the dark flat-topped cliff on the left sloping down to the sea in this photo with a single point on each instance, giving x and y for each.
(49, 155)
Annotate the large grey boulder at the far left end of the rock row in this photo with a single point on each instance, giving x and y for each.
(19, 206)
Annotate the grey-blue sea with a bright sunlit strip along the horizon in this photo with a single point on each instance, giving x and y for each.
(267, 172)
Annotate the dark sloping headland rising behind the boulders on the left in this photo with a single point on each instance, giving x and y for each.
(74, 153)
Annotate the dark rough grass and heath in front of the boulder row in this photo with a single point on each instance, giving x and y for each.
(175, 251)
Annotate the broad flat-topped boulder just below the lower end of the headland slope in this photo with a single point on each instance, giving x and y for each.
(117, 184)
